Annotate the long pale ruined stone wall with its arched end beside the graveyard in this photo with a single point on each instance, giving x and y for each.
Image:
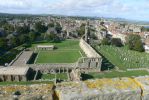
(93, 60)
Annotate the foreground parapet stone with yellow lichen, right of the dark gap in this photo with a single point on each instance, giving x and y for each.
(105, 89)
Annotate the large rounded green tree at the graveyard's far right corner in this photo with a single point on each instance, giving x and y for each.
(134, 42)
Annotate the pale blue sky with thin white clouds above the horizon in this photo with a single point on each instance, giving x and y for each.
(129, 9)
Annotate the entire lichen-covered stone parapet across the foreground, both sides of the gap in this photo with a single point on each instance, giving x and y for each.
(136, 88)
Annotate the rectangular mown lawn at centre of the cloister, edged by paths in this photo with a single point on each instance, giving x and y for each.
(58, 56)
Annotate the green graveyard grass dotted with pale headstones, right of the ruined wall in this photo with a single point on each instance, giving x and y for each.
(124, 58)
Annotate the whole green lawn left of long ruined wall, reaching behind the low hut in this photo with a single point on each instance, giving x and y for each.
(67, 51)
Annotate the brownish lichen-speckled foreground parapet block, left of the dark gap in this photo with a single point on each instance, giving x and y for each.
(27, 92)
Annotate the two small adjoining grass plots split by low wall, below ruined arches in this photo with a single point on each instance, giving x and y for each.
(62, 76)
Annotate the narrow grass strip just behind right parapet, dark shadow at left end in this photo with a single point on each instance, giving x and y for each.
(114, 74)
